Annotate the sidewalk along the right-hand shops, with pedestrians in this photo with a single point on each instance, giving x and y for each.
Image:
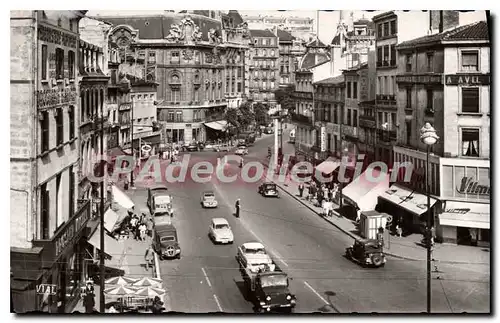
(399, 247)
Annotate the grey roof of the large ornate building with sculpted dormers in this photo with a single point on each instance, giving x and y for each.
(158, 27)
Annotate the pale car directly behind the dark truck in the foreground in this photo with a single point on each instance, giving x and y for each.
(253, 257)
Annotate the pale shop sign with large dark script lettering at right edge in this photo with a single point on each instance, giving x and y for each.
(467, 182)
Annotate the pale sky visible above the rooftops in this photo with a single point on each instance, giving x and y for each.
(327, 20)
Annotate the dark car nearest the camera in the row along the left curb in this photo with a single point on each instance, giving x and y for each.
(165, 241)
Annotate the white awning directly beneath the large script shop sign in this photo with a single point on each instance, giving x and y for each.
(466, 215)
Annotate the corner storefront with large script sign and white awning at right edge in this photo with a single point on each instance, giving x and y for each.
(465, 215)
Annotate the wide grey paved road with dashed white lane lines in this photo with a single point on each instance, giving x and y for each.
(206, 278)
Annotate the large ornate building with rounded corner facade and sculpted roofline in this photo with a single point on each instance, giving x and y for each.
(186, 57)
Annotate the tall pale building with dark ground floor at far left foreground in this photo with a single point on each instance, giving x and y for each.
(47, 223)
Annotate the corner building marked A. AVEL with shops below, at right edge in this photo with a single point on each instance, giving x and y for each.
(444, 79)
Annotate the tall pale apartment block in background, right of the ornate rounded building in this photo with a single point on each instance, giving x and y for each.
(264, 68)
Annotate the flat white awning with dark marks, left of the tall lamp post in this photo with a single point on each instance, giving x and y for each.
(407, 199)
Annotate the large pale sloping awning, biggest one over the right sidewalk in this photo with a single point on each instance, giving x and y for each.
(366, 188)
